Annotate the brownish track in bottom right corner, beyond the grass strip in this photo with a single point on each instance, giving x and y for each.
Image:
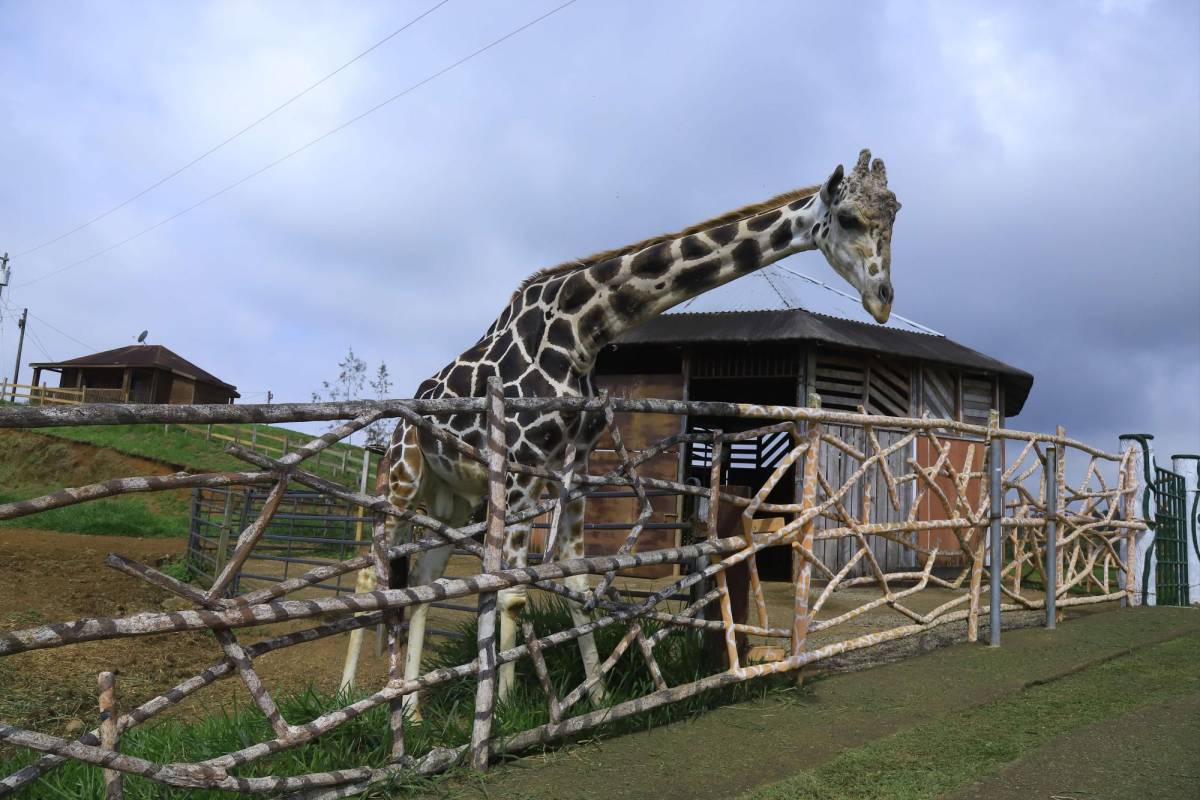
(1157, 755)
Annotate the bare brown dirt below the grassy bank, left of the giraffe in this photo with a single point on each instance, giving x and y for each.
(51, 578)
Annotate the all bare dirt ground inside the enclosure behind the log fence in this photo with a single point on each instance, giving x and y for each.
(56, 576)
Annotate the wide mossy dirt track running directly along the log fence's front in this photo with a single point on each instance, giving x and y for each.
(737, 749)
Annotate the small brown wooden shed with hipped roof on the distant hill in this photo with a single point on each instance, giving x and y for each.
(139, 374)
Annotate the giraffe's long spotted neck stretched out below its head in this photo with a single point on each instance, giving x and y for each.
(613, 297)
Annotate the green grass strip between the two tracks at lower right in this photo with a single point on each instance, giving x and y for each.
(932, 760)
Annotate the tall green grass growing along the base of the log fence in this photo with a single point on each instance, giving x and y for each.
(448, 712)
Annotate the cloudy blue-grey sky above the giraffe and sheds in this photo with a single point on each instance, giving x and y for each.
(1047, 154)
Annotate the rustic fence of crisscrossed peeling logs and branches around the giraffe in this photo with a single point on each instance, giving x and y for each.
(953, 506)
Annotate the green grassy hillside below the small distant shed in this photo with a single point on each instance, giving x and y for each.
(47, 460)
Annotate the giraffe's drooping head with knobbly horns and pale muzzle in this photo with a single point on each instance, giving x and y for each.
(856, 237)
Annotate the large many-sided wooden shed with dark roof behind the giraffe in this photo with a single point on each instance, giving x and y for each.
(787, 358)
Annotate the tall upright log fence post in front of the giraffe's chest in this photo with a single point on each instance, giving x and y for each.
(497, 503)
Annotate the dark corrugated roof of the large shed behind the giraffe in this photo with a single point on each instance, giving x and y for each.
(800, 326)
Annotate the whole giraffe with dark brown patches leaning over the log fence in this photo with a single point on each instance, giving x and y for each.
(545, 344)
